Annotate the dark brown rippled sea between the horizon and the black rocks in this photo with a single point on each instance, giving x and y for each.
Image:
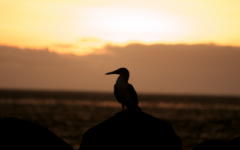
(195, 119)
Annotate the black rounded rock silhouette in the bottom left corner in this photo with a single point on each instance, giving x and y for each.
(23, 135)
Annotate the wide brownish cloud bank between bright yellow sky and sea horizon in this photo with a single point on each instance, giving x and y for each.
(157, 68)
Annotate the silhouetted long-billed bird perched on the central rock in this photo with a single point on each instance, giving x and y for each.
(123, 91)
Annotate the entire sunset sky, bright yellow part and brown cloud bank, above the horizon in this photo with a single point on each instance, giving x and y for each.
(174, 46)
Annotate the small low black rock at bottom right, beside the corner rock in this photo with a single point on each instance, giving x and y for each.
(211, 145)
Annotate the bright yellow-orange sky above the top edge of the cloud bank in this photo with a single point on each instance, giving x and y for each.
(73, 26)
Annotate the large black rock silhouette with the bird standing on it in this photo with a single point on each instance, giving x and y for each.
(131, 130)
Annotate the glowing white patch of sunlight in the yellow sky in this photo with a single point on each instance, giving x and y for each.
(125, 24)
